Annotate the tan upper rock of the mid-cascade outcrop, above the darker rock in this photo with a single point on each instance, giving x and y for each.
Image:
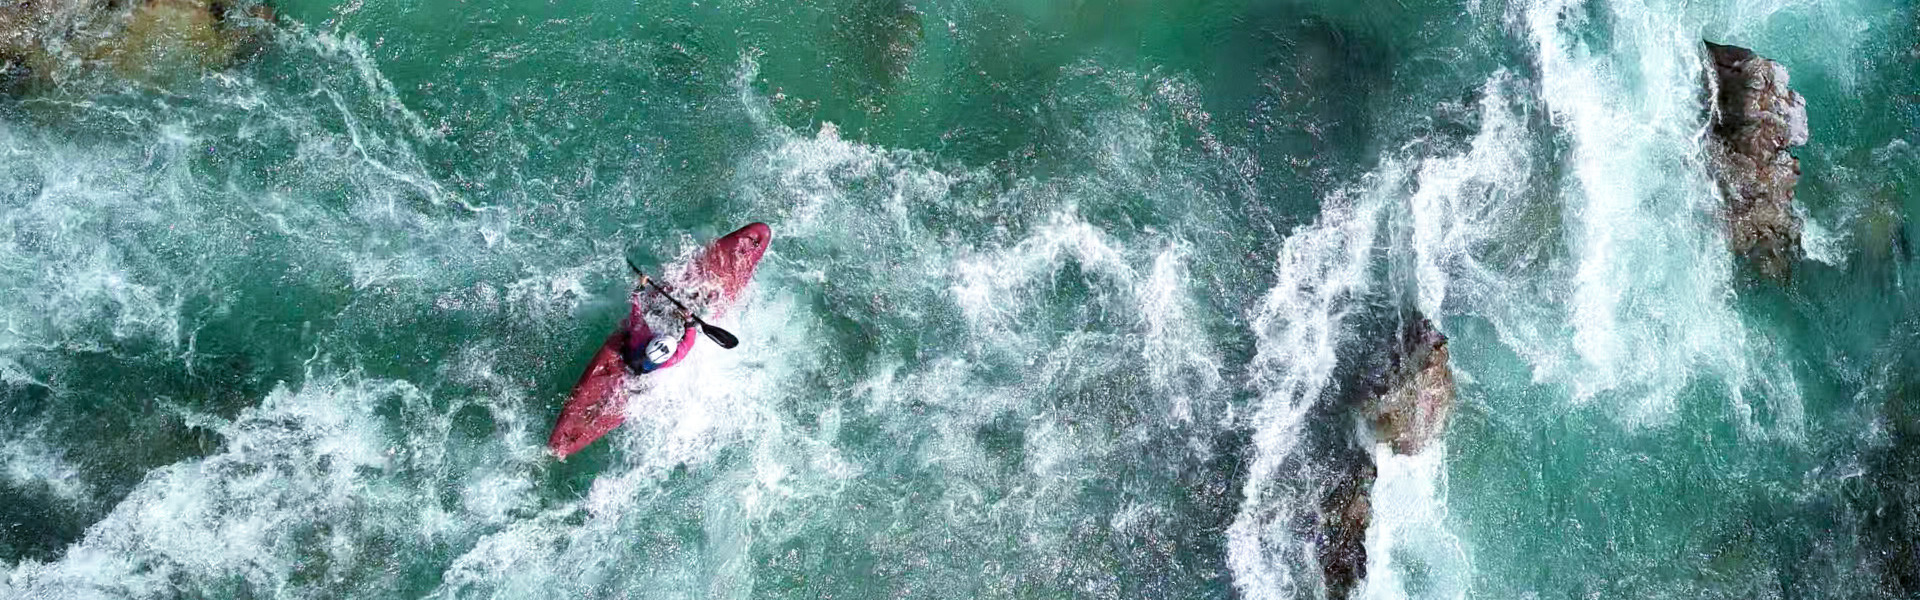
(1418, 393)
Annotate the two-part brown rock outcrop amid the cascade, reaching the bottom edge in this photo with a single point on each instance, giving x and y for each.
(1406, 407)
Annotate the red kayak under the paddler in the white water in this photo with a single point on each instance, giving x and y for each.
(709, 286)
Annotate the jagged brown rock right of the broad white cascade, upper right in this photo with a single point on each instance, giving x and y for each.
(1756, 120)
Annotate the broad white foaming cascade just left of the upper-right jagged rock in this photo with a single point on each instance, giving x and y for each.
(1646, 297)
